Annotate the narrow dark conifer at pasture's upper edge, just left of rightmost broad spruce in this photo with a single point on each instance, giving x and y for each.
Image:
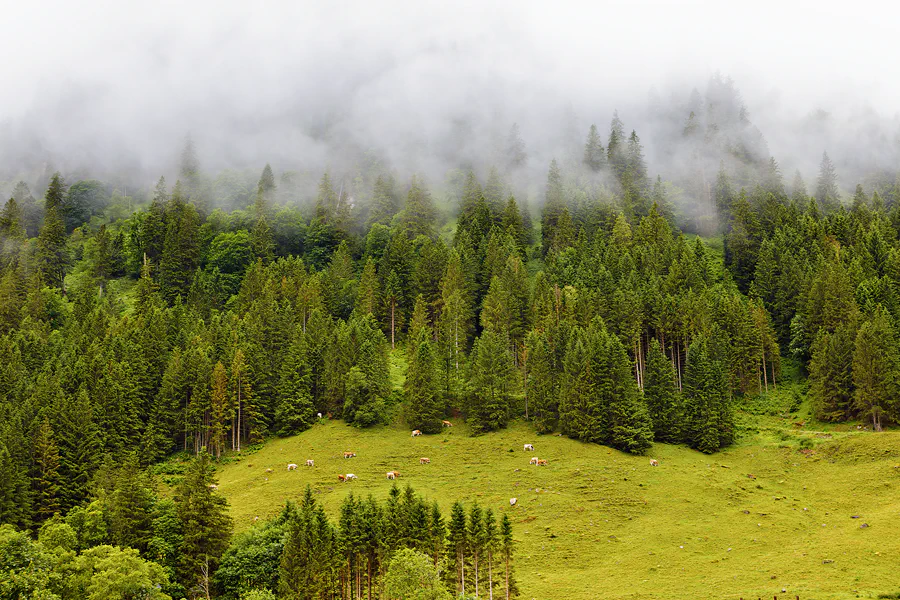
(662, 396)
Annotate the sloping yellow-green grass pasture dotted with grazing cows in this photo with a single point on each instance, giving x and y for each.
(597, 523)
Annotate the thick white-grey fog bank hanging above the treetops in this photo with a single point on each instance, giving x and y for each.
(104, 88)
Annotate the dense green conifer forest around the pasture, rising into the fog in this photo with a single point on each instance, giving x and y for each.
(202, 316)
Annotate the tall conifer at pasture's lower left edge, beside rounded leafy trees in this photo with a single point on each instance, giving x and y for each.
(206, 526)
